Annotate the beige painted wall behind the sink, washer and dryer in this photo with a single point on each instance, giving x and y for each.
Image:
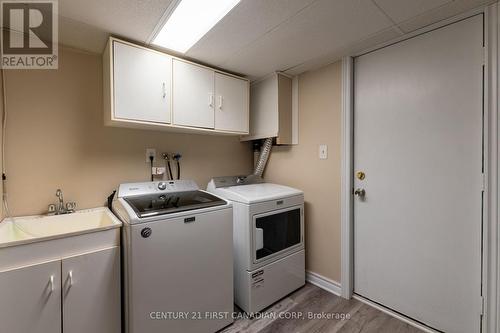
(56, 138)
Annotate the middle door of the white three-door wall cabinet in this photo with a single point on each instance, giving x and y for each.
(193, 95)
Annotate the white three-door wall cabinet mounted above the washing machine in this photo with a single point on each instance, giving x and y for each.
(147, 89)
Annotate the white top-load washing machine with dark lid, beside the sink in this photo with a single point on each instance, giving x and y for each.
(177, 257)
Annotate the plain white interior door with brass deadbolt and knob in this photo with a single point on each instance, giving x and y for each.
(418, 139)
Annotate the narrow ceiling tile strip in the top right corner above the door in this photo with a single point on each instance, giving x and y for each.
(452, 9)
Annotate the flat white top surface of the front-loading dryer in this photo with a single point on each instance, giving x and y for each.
(257, 192)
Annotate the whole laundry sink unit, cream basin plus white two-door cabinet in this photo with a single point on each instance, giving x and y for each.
(61, 270)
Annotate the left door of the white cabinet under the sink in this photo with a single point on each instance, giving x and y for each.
(30, 299)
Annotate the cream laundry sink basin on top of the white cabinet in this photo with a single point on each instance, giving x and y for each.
(36, 228)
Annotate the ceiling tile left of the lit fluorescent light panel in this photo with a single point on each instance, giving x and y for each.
(131, 18)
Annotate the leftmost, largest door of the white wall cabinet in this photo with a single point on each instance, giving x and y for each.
(142, 84)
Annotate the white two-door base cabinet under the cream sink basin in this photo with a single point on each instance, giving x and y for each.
(65, 285)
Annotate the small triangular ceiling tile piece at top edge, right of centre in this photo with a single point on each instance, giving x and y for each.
(402, 10)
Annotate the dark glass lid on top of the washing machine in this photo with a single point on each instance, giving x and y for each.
(168, 203)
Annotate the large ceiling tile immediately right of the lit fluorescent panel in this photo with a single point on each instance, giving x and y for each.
(324, 27)
